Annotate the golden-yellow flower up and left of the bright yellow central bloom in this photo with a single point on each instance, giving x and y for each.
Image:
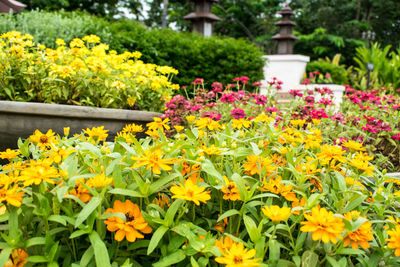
(152, 160)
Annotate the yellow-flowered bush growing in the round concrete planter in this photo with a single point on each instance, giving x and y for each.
(82, 73)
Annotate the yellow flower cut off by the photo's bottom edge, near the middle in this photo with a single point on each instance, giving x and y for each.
(238, 256)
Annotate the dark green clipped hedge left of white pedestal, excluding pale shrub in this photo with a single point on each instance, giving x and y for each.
(214, 59)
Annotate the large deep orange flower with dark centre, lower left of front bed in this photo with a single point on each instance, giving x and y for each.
(135, 225)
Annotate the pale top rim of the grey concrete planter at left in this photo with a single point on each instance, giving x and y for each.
(71, 111)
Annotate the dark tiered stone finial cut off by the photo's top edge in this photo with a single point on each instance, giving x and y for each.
(202, 19)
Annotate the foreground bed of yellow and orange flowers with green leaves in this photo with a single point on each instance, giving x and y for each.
(252, 191)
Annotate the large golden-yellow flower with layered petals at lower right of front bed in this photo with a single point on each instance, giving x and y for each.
(323, 224)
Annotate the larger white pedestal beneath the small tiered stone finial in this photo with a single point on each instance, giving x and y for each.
(287, 68)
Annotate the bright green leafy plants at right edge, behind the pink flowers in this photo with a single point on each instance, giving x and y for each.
(386, 71)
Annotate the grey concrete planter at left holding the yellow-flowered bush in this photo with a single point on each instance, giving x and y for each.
(21, 119)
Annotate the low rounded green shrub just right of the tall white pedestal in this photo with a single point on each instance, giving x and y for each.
(338, 72)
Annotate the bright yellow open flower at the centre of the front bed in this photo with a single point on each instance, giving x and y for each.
(190, 192)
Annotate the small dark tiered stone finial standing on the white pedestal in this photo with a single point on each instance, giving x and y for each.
(285, 38)
